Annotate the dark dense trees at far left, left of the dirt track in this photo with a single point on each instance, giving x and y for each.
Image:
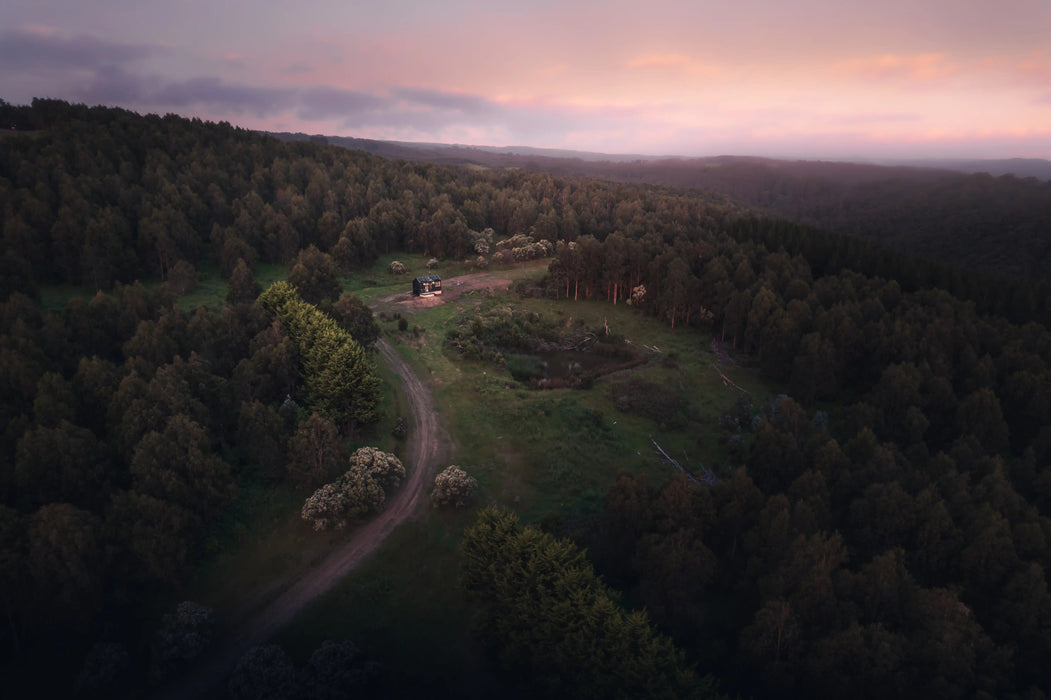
(115, 462)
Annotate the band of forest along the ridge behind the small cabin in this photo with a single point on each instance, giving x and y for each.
(104, 196)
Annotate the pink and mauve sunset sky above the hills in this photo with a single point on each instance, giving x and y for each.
(832, 79)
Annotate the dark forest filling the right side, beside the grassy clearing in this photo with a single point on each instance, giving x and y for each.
(885, 530)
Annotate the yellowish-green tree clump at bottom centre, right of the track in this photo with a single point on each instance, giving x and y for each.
(551, 622)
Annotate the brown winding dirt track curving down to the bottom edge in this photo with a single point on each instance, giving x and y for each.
(425, 450)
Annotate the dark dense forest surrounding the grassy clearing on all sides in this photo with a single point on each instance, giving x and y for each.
(881, 528)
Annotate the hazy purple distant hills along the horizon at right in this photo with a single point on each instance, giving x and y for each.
(974, 214)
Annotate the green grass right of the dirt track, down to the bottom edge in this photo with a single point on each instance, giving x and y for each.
(541, 454)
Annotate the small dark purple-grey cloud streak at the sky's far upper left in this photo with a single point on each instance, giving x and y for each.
(27, 51)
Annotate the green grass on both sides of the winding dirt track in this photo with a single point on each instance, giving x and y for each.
(538, 452)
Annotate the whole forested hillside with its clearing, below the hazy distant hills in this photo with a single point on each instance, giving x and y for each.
(854, 497)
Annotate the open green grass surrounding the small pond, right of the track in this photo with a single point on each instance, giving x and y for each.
(560, 451)
